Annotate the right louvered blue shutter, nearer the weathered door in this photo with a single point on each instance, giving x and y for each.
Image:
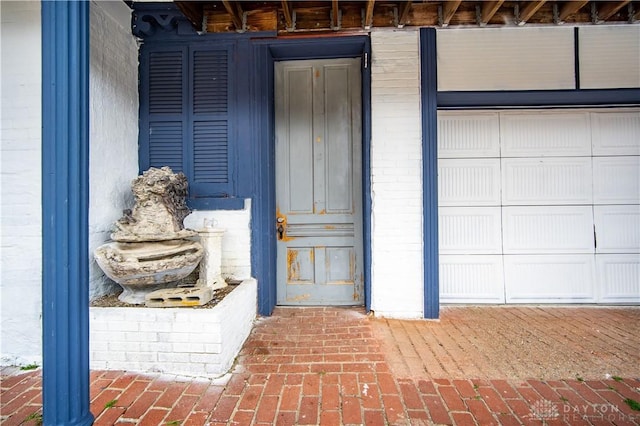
(211, 124)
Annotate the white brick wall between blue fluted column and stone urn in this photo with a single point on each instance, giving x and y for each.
(113, 163)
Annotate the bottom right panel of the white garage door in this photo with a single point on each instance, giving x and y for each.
(618, 277)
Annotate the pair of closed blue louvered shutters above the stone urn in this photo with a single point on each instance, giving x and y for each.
(186, 118)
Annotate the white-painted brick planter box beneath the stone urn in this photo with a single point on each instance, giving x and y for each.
(182, 341)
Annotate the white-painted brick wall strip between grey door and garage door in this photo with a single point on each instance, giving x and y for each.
(396, 175)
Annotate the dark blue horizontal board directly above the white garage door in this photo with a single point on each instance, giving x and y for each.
(539, 98)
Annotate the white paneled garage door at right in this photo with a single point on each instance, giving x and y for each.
(539, 206)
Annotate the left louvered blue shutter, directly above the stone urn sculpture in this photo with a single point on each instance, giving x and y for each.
(164, 121)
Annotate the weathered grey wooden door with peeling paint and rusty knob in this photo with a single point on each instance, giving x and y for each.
(318, 182)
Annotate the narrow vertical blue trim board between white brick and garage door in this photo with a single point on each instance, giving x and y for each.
(430, 172)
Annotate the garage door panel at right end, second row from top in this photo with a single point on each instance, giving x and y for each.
(616, 180)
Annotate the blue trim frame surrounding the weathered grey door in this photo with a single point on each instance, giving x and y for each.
(263, 245)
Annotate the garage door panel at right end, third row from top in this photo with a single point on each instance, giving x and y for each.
(617, 229)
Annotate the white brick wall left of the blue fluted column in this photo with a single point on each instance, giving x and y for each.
(20, 175)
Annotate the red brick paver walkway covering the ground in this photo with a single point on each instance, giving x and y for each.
(337, 366)
